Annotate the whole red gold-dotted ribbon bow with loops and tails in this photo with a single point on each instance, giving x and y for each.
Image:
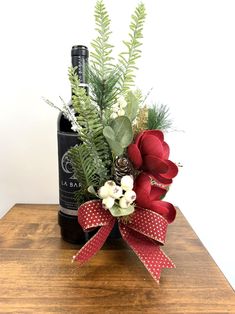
(144, 233)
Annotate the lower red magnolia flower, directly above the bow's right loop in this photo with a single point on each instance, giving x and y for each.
(148, 196)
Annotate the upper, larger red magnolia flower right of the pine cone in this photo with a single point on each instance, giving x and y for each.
(150, 153)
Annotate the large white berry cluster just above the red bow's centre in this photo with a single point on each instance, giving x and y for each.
(110, 192)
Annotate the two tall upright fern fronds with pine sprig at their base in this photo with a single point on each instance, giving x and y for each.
(107, 79)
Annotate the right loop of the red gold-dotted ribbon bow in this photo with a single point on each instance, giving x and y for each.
(149, 223)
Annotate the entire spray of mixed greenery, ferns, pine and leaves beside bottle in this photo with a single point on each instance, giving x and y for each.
(103, 136)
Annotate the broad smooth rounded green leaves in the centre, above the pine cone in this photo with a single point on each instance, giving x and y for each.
(122, 129)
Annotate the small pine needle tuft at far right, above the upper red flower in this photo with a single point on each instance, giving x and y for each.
(159, 118)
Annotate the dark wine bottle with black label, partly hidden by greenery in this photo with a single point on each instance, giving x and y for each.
(71, 231)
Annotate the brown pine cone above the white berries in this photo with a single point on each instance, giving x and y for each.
(122, 167)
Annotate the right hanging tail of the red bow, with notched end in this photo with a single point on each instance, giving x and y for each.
(148, 251)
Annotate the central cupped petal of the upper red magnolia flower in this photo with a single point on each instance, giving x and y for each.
(151, 145)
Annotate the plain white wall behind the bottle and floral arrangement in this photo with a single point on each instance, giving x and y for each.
(188, 58)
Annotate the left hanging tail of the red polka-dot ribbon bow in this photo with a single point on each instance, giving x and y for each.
(94, 244)
